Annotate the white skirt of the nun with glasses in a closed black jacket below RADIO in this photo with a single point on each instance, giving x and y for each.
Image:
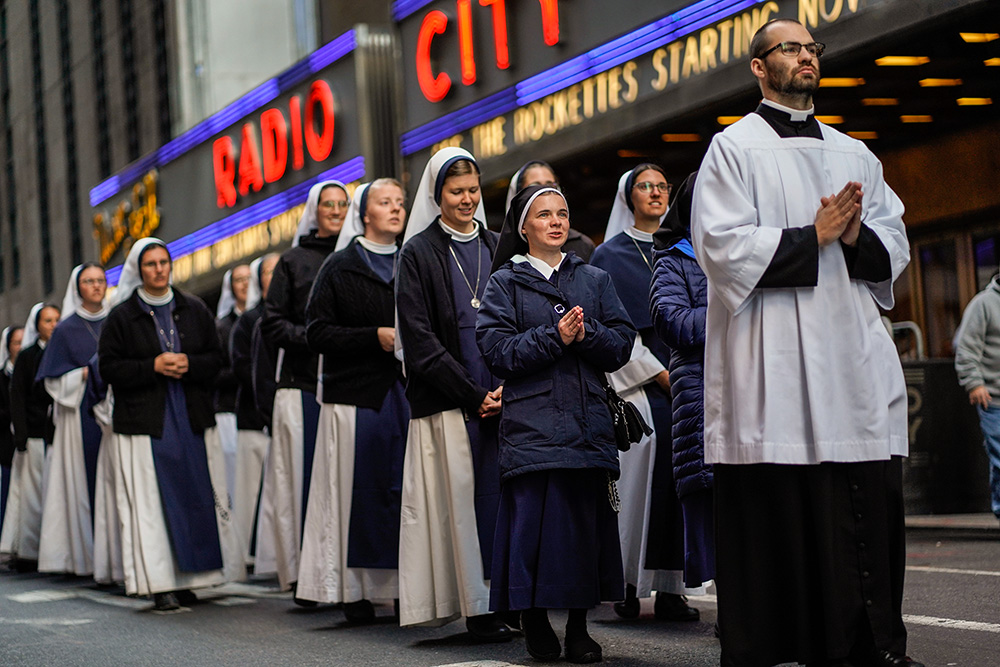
(283, 487)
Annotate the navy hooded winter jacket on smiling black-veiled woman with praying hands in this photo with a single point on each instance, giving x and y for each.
(554, 410)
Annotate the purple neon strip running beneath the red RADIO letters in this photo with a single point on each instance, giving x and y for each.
(352, 170)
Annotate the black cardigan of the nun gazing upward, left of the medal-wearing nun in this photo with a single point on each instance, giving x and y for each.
(348, 304)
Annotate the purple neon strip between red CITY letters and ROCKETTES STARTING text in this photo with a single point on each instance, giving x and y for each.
(599, 59)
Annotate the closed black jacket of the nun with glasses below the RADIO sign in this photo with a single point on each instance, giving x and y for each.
(284, 321)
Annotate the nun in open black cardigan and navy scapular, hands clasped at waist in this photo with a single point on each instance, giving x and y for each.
(159, 352)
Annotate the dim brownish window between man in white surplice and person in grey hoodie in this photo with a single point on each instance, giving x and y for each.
(943, 311)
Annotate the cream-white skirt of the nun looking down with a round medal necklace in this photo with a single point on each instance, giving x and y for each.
(440, 565)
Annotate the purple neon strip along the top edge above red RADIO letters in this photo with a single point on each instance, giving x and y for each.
(219, 121)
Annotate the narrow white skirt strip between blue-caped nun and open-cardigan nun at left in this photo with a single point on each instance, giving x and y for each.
(107, 527)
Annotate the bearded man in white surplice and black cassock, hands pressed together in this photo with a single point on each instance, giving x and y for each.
(805, 404)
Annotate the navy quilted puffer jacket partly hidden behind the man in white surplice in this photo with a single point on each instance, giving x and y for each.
(678, 300)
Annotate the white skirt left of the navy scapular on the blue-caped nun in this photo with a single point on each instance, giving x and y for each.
(67, 538)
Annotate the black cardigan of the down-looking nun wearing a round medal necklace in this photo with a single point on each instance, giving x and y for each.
(436, 379)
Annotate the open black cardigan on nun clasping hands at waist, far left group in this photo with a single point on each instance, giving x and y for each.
(128, 347)
